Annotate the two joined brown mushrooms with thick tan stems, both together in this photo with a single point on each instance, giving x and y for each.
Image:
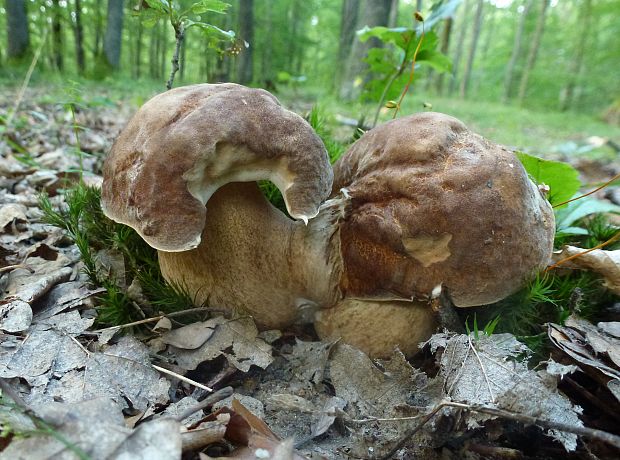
(416, 206)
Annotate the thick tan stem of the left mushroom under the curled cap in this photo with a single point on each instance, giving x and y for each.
(254, 258)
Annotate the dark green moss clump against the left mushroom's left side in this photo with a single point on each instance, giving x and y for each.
(92, 231)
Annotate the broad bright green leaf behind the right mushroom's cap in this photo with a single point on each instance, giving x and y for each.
(562, 178)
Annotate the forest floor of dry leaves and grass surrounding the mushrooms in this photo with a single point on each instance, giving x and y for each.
(73, 388)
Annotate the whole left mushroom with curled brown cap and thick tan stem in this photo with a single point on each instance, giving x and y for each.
(207, 145)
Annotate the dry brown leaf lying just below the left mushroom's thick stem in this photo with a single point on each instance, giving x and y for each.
(235, 339)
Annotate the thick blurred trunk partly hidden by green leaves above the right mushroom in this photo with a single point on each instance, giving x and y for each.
(374, 13)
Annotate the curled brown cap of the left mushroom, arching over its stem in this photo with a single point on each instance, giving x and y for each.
(184, 144)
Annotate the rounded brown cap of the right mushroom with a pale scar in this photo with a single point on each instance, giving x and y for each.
(433, 204)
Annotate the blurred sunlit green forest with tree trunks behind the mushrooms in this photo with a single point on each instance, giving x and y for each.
(530, 73)
